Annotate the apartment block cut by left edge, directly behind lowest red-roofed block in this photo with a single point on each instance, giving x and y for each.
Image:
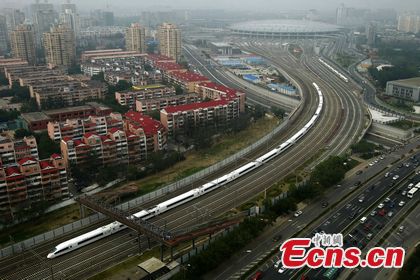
(13, 150)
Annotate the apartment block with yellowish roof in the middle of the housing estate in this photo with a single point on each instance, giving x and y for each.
(128, 98)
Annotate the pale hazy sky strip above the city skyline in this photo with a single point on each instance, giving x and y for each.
(263, 5)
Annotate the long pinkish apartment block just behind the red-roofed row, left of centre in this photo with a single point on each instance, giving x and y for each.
(76, 128)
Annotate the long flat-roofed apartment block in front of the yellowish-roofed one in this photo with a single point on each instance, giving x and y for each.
(149, 105)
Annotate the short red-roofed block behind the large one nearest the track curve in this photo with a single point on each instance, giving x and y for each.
(217, 92)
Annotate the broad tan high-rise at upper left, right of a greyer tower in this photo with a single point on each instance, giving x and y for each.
(60, 46)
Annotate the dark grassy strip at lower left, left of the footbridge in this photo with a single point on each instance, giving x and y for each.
(43, 224)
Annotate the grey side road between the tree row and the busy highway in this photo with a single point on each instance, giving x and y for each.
(311, 213)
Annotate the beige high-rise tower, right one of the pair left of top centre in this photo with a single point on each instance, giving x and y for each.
(169, 37)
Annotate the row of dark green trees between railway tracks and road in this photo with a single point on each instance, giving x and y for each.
(326, 174)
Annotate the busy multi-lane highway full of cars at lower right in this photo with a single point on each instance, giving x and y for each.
(386, 190)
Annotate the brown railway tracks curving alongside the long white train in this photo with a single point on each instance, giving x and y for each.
(336, 132)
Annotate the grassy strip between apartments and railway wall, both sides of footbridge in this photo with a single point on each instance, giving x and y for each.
(195, 161)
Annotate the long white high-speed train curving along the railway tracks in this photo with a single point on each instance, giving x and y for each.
(114, 227)
